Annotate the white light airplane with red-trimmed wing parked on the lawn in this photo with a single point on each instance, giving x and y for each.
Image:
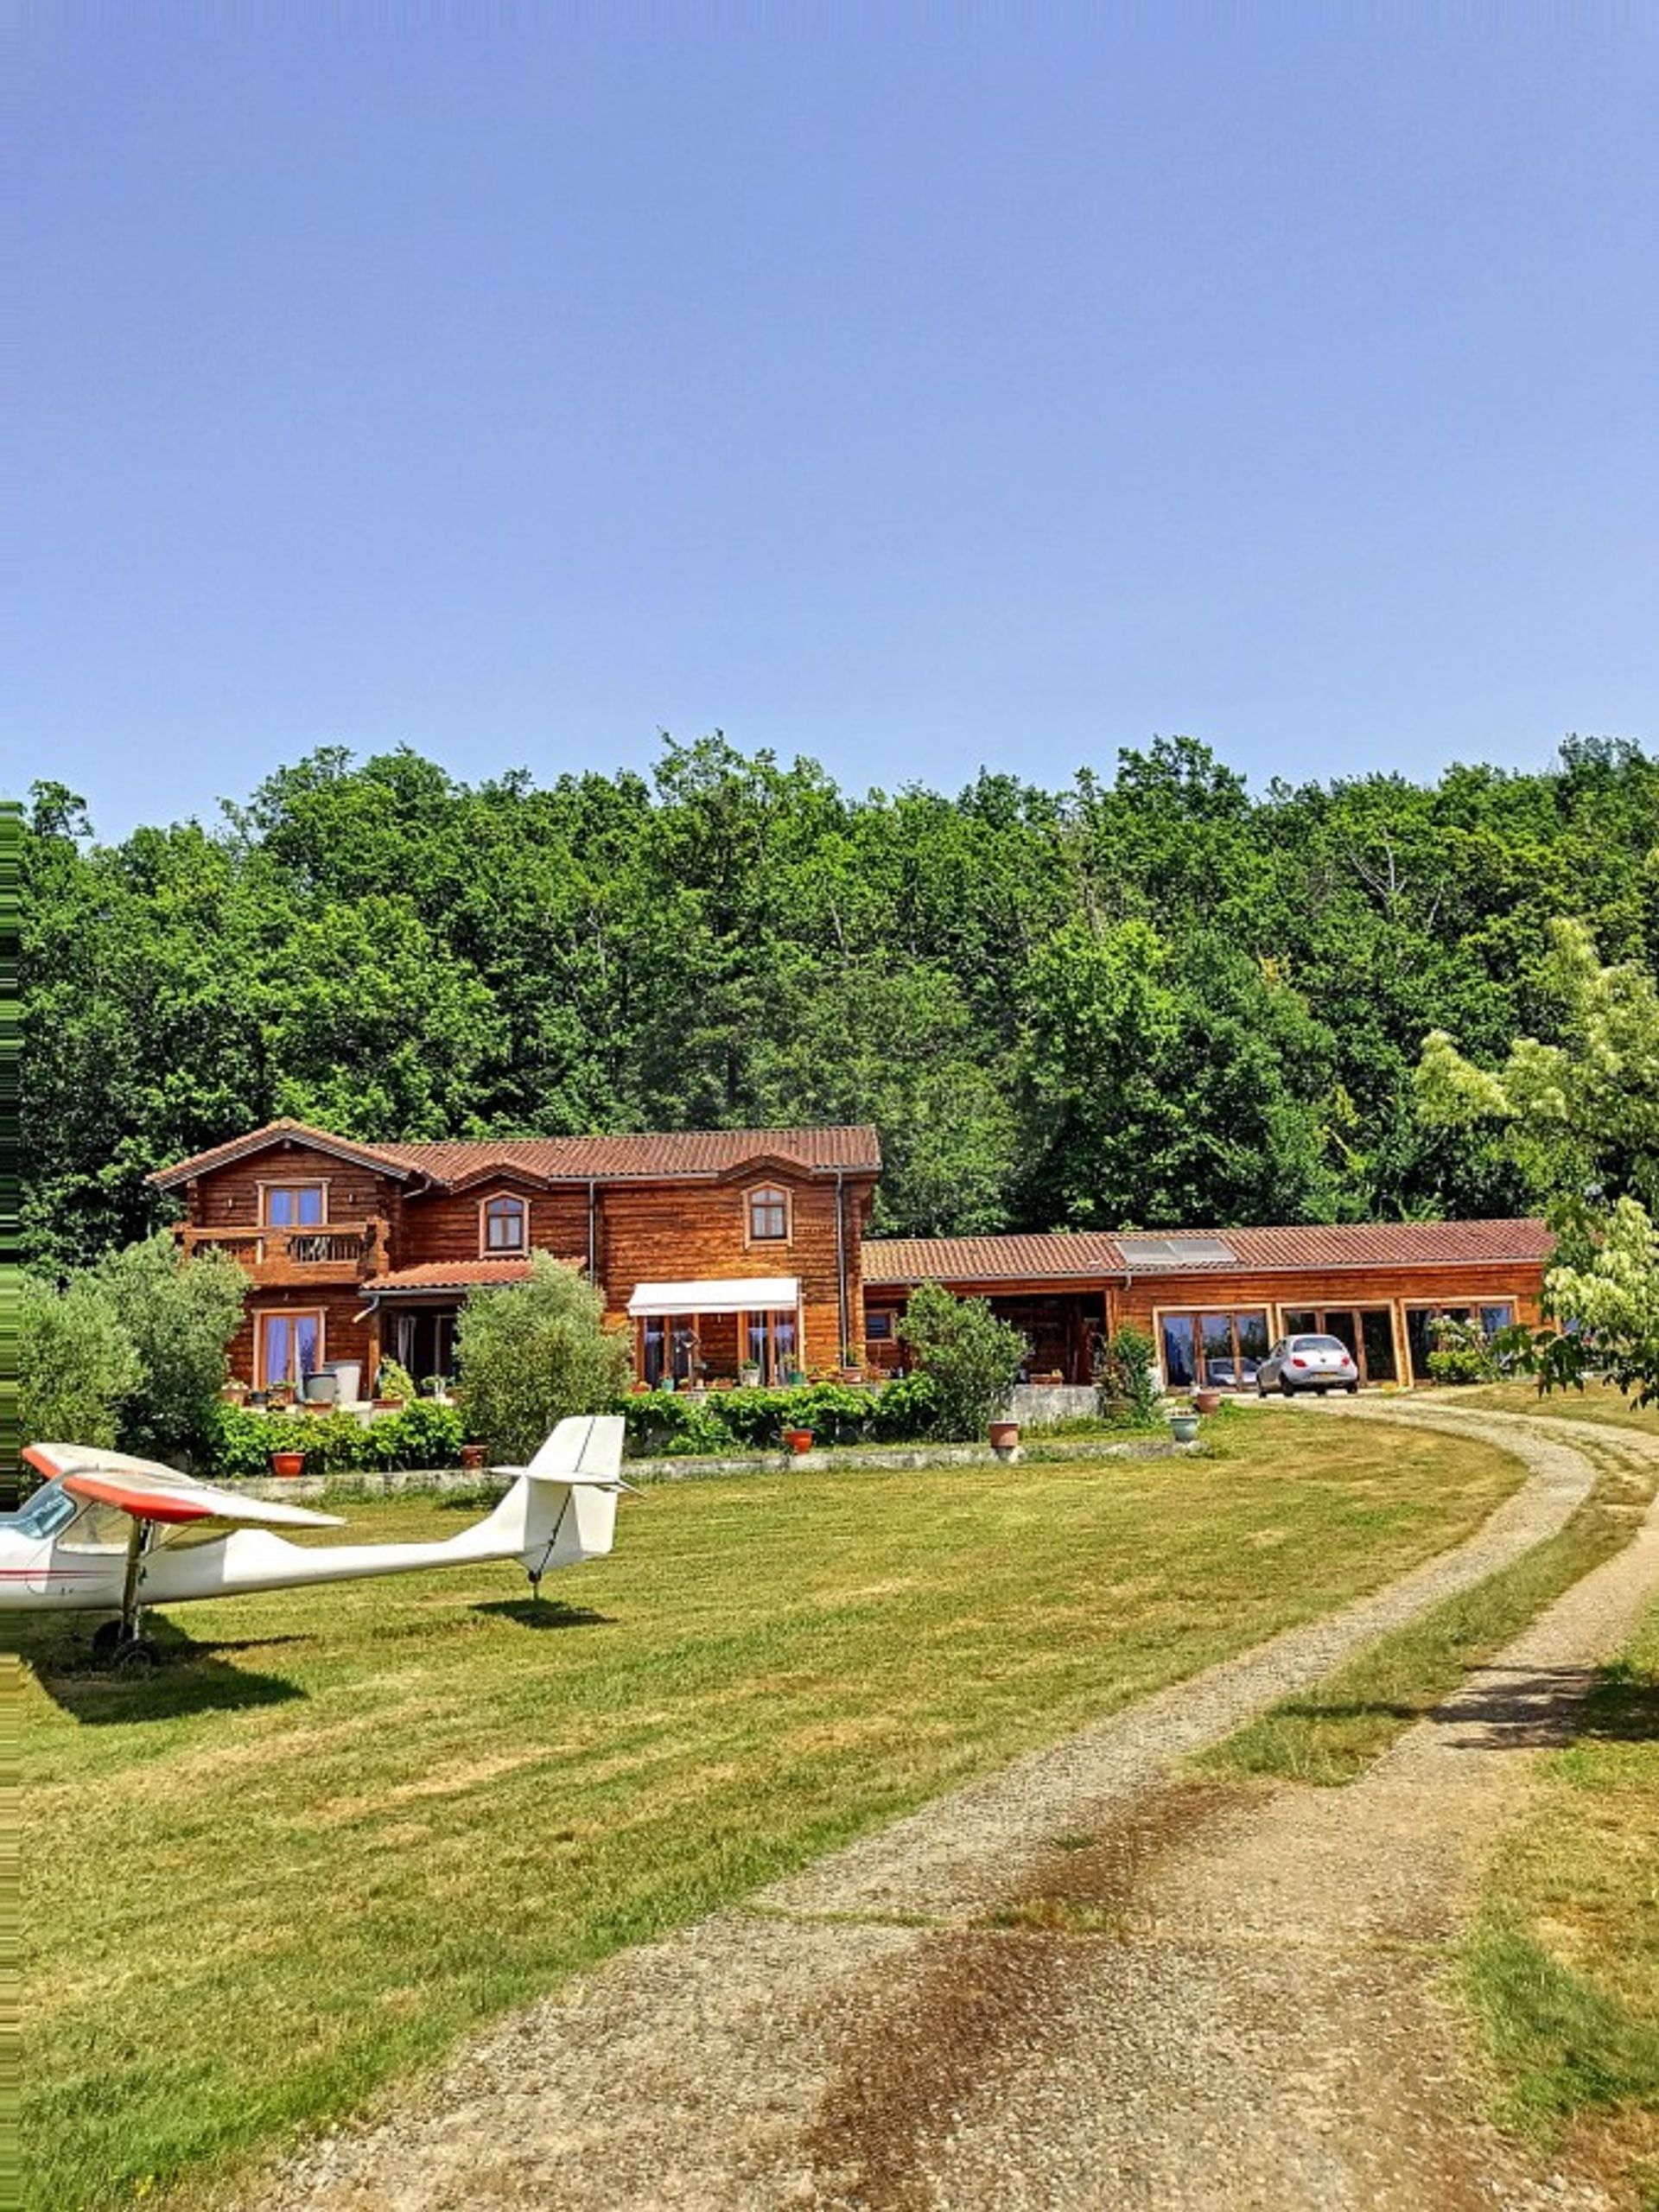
(109, 1534)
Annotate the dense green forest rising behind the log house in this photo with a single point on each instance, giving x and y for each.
(1149, 999)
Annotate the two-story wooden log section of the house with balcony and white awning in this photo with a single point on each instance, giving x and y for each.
(718, 1249)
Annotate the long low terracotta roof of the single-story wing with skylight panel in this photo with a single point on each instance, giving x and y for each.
(1094, 1255)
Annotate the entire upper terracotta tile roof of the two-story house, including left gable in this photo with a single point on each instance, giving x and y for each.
(674, 1154)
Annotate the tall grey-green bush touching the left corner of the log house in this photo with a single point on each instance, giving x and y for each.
(180, 1317)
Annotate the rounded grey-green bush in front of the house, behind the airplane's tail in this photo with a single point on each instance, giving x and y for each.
(534, 1353)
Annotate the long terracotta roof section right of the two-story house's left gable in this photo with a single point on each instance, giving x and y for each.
(669, 1154)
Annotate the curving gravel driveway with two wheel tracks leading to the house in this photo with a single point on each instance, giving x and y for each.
(1081, 1983)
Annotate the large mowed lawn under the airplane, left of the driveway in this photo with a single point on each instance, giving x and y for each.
(344, 1826)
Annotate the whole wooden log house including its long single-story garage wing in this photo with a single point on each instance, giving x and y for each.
(744, 1251)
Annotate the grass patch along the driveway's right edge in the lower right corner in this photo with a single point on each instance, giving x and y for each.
(1565, 1961)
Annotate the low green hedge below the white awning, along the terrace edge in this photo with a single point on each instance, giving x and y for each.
(716, 1423)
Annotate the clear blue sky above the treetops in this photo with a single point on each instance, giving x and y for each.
(912, 388)
